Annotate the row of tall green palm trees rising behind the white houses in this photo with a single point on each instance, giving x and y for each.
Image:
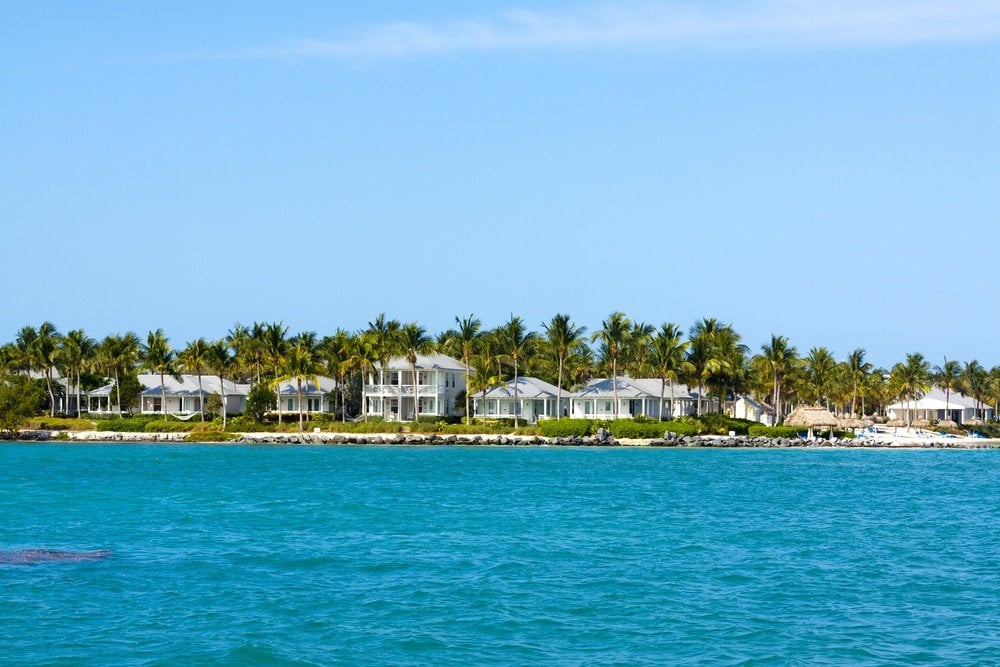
(710, 356)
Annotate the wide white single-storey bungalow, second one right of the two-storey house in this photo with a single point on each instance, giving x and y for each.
(636, 396)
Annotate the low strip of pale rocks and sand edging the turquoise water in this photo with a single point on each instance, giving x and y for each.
(432, 439)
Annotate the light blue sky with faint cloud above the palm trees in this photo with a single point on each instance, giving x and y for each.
(825, 170)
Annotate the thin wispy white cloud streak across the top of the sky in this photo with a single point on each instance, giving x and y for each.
(672, 24)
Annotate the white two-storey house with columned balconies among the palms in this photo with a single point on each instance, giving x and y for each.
(389, 392)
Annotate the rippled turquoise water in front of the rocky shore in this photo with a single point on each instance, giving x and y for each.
(383, 555)
